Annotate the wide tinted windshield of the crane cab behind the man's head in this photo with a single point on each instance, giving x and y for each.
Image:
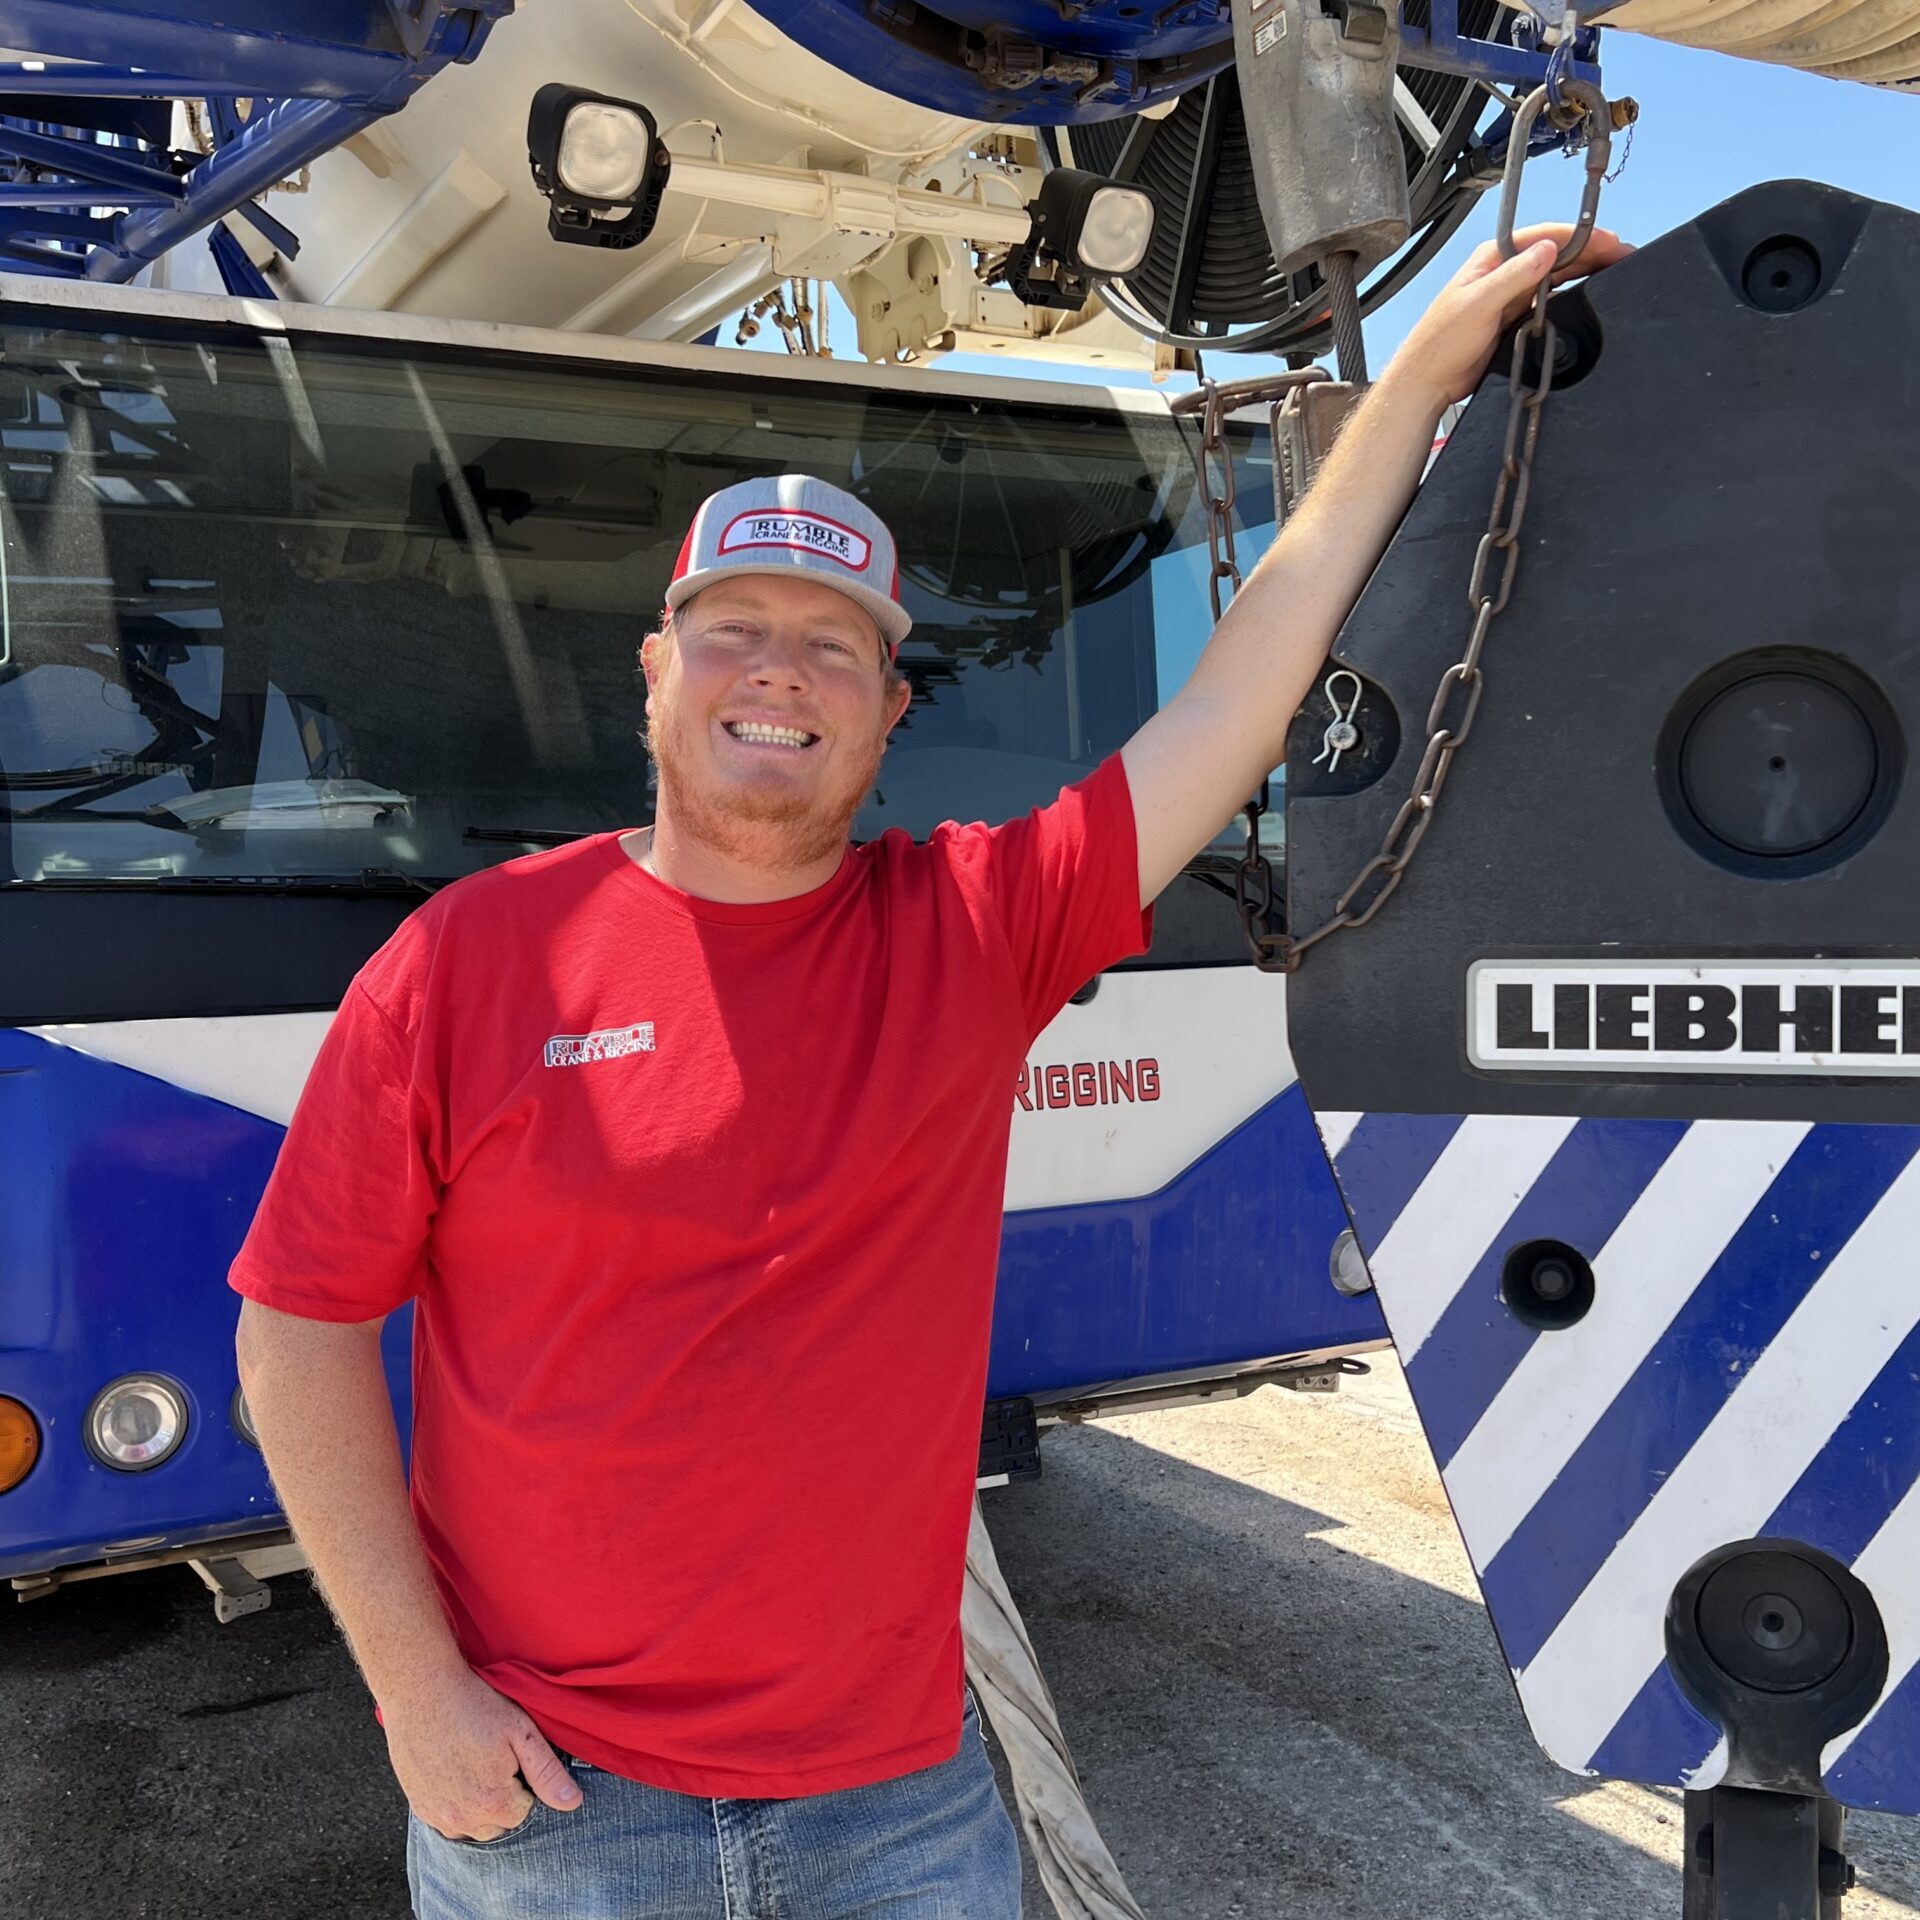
(306, 608)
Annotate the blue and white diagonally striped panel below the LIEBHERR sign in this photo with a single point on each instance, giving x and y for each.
(1750, 1368)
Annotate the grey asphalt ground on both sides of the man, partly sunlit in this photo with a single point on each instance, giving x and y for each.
(1257, 1620)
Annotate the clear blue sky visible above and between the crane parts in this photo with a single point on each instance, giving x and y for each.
(1710, 128)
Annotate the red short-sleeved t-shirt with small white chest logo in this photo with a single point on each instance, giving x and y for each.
(700, 1207)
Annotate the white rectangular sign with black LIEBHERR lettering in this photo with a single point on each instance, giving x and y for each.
(1835, 1019)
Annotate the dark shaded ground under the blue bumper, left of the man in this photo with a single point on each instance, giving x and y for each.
(172, 1769)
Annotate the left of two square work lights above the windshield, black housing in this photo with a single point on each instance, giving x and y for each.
(600, 164)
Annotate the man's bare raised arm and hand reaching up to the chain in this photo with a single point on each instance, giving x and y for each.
(1195, 765)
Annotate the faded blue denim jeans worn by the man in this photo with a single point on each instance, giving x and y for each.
(930, 1846)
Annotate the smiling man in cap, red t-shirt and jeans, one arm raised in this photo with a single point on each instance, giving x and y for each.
(690, 1149)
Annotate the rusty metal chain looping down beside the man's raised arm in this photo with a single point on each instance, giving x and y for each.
(1458, 698)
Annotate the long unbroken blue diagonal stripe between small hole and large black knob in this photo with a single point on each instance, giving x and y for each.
(1808, 1214)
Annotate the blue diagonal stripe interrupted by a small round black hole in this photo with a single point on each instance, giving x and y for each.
(1581, 1197)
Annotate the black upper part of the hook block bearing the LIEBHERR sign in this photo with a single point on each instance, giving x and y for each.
(1700, 704)
